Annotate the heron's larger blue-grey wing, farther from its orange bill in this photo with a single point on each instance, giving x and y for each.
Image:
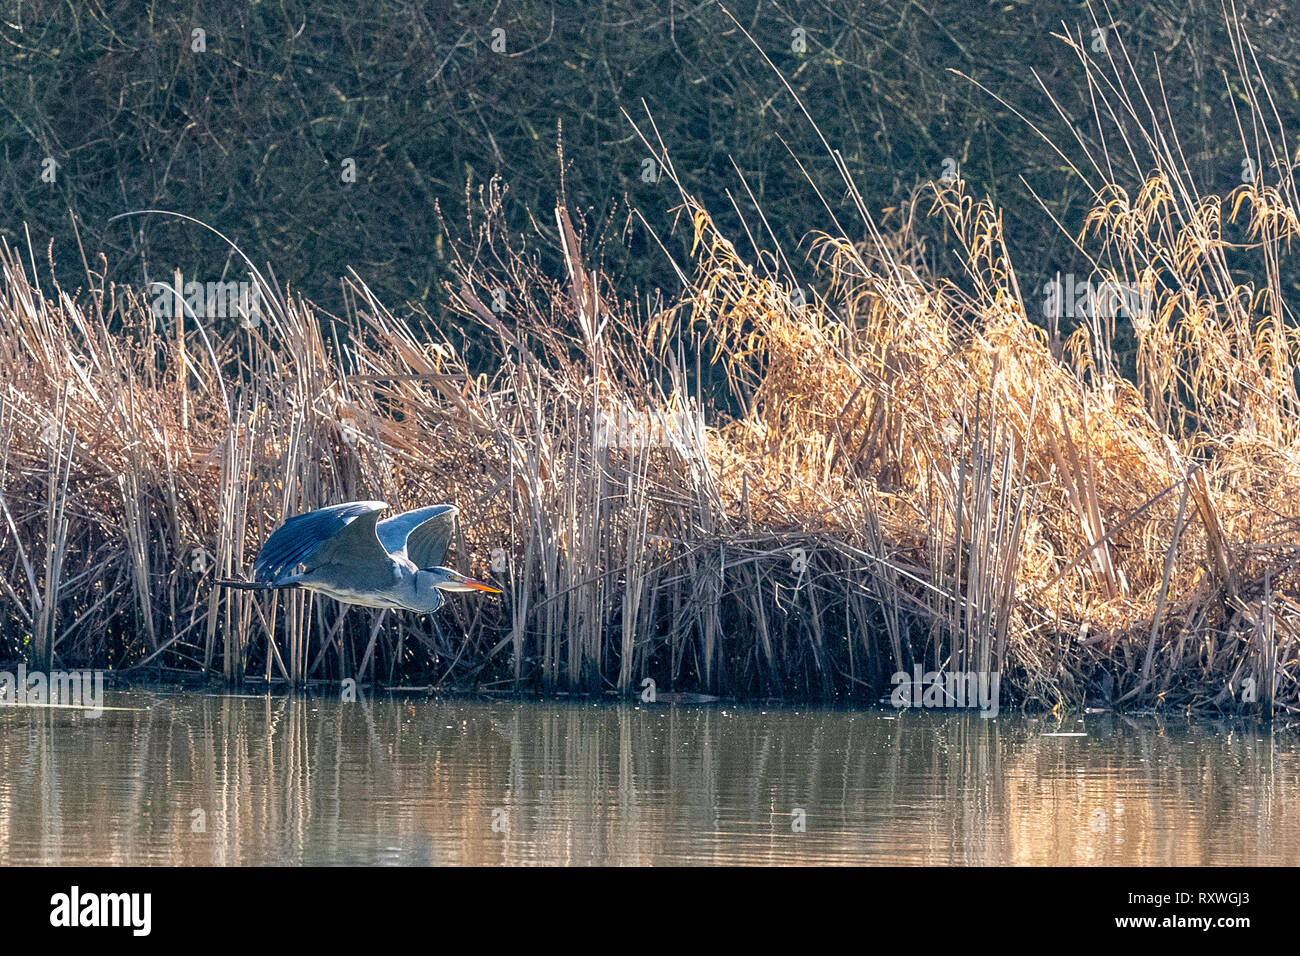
(304, 539)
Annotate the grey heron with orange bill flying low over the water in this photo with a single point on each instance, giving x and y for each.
(348, 553)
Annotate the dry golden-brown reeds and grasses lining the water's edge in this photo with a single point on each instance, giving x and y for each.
(905, 470)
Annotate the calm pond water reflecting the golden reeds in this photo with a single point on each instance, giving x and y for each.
(197, 778)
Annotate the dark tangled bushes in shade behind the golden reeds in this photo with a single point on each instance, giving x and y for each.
(252, 135)
